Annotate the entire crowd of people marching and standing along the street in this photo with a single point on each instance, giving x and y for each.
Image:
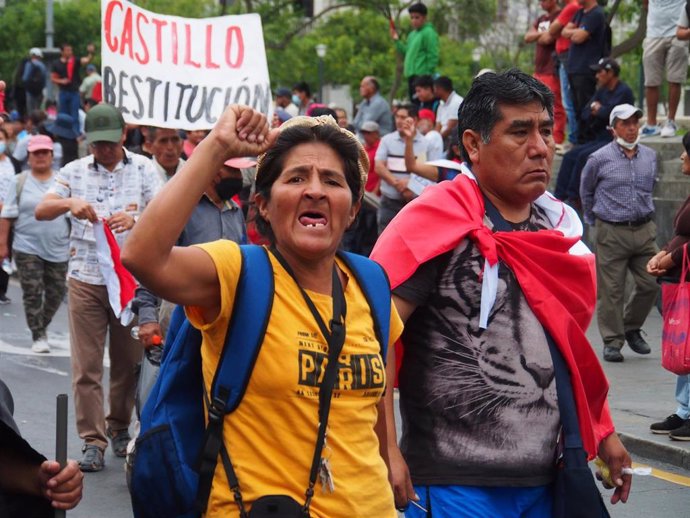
(446, 193)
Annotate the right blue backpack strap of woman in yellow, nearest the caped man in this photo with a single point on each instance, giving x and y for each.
(374, 282)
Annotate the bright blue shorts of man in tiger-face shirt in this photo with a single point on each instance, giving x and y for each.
(475, 502)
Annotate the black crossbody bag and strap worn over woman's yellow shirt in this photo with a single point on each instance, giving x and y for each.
(283, 506)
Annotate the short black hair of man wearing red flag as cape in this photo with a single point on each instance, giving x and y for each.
(480, 110)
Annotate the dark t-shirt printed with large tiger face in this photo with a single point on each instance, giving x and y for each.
(478, 406)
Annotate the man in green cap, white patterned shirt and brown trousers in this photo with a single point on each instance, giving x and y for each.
(113, 186)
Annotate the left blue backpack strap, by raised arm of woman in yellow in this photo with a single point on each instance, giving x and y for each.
(250, 315)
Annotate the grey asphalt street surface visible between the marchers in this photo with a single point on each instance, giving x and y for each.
(641, 392)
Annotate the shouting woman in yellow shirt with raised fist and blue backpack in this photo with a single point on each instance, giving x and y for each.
(321, 335)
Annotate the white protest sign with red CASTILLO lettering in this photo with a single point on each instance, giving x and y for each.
(175, 72)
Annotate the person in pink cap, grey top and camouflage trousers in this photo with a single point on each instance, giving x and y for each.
(40, 249)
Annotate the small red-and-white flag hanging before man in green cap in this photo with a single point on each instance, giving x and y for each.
(119, 282)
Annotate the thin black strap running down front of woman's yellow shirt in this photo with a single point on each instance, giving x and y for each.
(335, 337)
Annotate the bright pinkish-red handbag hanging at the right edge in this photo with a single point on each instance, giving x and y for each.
(675, 343)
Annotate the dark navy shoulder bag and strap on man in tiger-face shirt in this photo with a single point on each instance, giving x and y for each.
(575, 492)
